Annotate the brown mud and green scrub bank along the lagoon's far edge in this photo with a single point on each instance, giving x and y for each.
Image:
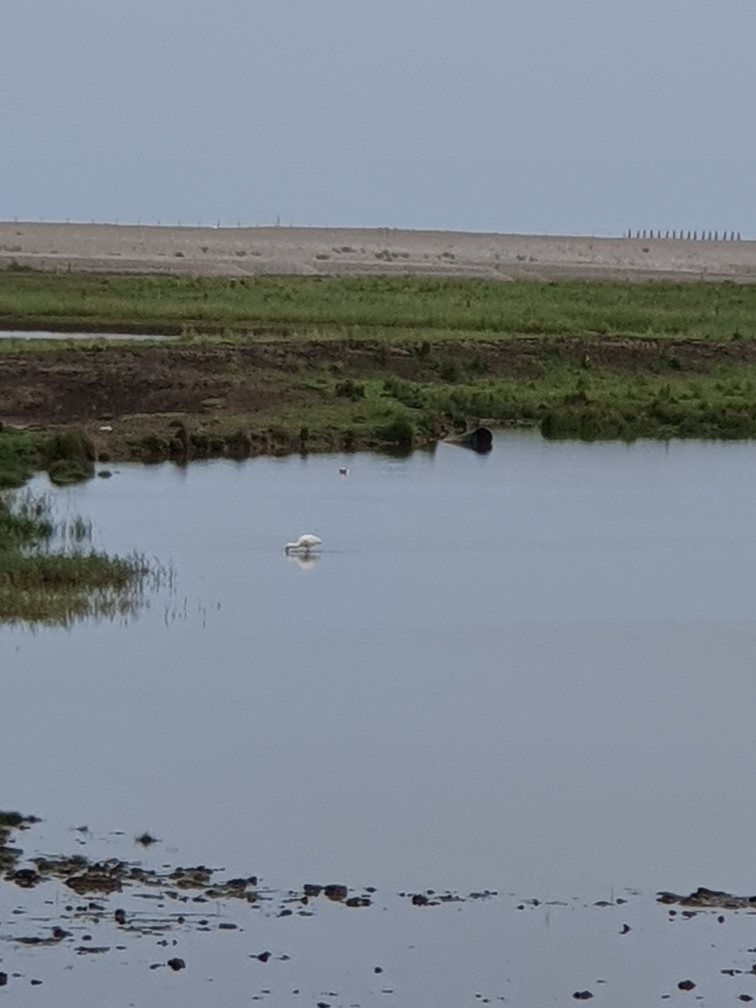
(183, 403)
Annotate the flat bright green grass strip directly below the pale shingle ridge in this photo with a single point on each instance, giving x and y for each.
(393, 309)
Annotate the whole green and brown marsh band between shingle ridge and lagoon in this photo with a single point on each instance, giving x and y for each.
(272, 365)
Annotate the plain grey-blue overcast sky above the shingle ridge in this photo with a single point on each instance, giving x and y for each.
(559, 116)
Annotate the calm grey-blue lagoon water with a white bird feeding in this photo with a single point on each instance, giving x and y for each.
(531, 672)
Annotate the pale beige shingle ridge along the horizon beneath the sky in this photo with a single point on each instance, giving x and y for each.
(366, 251)
